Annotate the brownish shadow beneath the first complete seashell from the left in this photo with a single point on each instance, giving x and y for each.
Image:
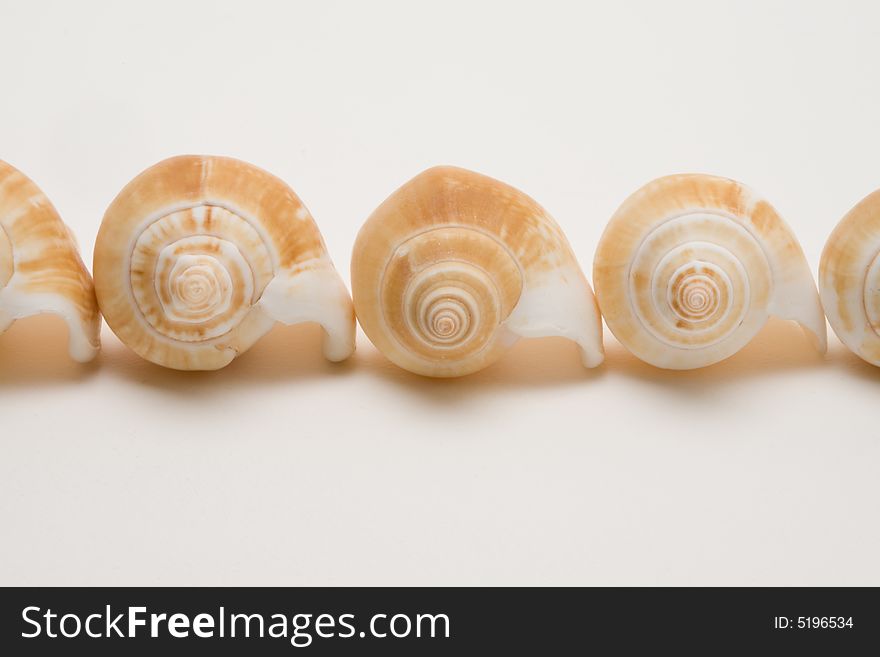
(286, 354)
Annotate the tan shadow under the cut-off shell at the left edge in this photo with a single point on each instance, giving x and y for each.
(33, 352)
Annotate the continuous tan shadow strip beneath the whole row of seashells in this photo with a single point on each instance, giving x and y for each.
(33, 352)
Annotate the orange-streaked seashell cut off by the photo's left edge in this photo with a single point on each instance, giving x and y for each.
(40, 268)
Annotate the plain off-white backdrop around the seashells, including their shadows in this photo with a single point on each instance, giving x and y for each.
(284, 469)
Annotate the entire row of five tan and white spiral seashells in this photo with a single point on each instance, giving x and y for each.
(199, 256)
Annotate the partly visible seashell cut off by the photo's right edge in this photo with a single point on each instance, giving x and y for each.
(849, 279)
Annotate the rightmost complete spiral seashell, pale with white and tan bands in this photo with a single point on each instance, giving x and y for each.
(691, 266)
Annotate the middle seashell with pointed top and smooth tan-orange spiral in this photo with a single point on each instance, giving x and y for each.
(454, 267)
